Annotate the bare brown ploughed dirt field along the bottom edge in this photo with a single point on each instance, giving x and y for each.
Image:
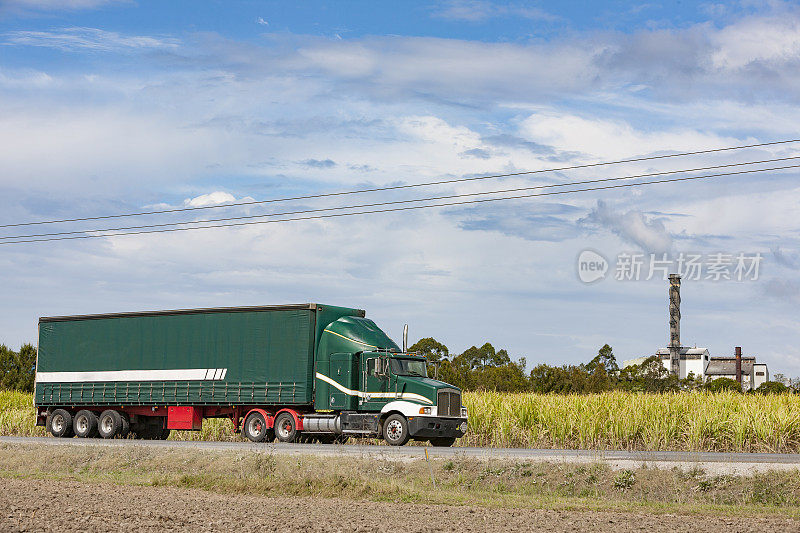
(43, 505)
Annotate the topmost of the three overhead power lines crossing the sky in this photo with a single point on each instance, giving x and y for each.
(396, 187)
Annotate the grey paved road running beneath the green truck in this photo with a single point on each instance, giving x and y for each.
(712, 462)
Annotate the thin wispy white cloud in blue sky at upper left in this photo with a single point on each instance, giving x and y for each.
(91, 39)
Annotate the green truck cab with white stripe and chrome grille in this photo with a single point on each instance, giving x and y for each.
(376, 389)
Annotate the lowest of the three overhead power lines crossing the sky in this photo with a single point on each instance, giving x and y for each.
(395, 209)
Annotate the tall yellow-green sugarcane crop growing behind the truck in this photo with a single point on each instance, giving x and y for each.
(701, 421)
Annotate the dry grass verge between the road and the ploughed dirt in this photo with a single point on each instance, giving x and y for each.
(459, 481)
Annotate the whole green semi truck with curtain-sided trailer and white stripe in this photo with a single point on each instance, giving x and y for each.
(296, 372)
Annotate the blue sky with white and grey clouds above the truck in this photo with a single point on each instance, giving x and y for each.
(111, 107)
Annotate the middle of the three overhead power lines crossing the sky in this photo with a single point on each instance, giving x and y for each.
(377, 204)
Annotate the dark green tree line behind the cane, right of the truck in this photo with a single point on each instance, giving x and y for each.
(486, 368)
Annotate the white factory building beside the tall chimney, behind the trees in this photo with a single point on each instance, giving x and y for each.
(698, 361)
